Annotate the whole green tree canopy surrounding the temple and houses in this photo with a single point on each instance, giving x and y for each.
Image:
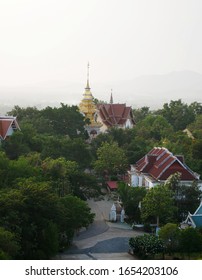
(44, 163)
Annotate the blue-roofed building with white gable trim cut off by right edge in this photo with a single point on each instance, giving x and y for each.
(194, 220)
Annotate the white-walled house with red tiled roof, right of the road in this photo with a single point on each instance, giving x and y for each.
(156, 167)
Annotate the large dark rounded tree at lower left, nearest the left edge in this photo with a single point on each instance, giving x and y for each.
(19, 213)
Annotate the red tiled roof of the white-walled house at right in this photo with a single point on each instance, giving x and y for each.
(160, 163)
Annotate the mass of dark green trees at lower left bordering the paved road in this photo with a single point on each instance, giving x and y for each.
(39, 234)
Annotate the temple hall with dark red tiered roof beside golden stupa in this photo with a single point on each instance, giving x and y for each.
(114, 115)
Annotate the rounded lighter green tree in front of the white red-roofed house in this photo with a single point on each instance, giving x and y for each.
(158, 203)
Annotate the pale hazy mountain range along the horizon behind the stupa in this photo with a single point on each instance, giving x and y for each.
(152, 91)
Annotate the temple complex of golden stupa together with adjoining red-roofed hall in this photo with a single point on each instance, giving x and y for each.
(104, 116)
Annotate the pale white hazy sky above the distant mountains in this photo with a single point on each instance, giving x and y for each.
(44, 42)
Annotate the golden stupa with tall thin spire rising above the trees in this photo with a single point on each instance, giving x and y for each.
(87, 106)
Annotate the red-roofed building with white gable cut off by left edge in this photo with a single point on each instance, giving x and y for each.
(8, 125)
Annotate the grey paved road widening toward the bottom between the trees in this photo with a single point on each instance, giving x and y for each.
(102, 240)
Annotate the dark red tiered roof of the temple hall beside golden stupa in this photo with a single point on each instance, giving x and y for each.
(114, 114)
